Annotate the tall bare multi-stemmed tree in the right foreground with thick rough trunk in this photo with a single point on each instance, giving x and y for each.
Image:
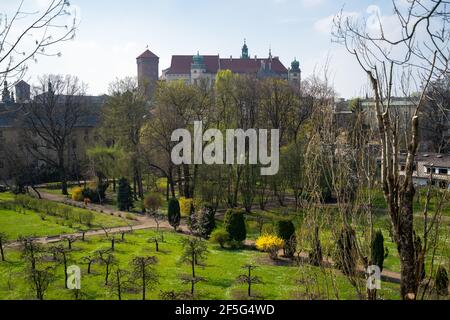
(393, 62)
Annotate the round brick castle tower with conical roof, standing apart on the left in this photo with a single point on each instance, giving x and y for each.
(148, 71)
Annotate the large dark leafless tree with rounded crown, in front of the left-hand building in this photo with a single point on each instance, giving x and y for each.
(50, 121)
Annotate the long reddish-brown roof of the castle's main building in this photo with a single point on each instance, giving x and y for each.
(181, 64)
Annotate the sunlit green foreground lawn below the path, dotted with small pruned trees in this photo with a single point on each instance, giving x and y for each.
(221, 269)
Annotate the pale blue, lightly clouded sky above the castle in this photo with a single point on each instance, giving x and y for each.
(111, 34)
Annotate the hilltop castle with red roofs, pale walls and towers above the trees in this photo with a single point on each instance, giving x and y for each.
(195, 68)
